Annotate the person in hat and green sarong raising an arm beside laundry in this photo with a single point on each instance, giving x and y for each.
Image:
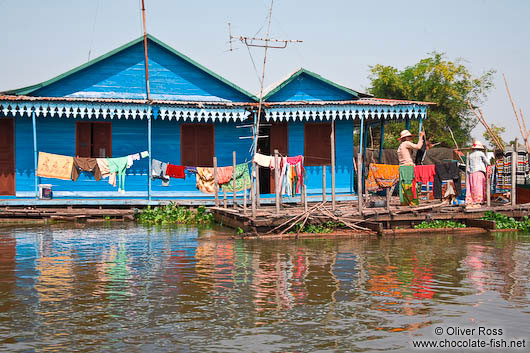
(408, 192)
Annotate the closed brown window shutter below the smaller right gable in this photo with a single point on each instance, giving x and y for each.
(317, 144)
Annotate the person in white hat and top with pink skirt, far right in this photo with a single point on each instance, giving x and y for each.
(477, 165)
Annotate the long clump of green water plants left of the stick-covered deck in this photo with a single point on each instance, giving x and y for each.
(174, 214)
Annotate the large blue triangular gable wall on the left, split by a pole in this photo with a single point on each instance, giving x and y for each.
(122, 76)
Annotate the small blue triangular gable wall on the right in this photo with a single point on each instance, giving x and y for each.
(307, 88)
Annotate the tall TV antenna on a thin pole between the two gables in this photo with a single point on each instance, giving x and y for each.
(265, 43)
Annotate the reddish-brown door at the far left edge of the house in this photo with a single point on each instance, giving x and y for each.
(7, 157)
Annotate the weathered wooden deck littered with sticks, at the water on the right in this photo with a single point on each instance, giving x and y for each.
(370, 220)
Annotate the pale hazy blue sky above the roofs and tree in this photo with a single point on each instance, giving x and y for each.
(341, 39)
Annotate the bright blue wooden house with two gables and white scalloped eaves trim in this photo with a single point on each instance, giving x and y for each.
(100, 109)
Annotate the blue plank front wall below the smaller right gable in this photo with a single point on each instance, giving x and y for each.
(344, 172)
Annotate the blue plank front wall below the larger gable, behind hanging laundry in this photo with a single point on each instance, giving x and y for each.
(57, 135)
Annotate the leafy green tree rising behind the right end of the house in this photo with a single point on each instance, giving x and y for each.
(449, 84)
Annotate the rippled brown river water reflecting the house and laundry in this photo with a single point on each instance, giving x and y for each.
(132, 289)
